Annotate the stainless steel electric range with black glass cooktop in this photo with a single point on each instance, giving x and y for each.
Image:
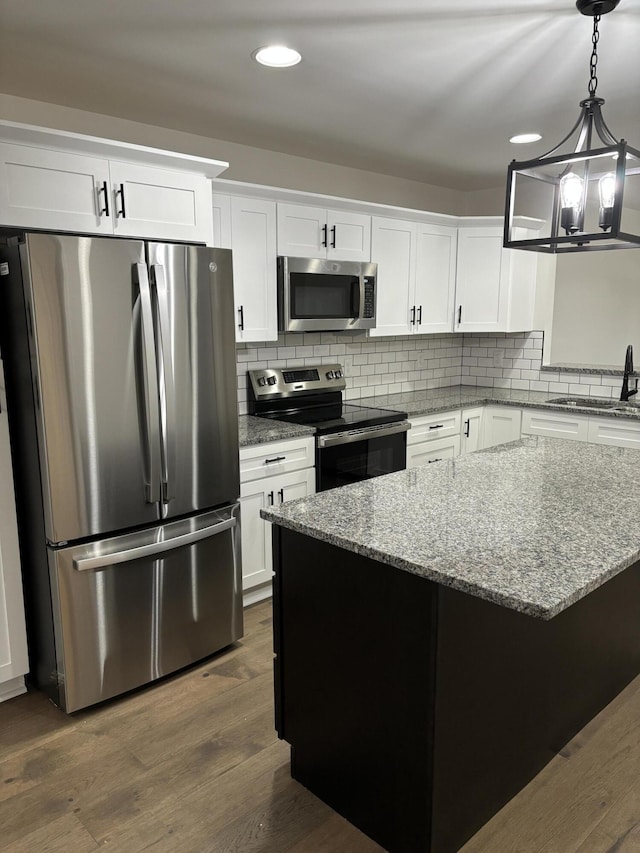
(352, 442)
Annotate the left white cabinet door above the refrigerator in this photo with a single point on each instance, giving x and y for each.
(53, 190)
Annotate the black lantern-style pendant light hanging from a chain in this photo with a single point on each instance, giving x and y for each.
(579, 187)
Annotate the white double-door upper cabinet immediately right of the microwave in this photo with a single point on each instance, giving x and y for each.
(416, 276)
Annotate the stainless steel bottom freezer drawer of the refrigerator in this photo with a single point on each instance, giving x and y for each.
(130, 609)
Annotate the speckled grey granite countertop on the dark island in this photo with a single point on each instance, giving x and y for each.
(533, 525)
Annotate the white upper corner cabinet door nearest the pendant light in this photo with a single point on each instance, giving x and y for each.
(481, 297)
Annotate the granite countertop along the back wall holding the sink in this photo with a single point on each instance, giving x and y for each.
(463, 396)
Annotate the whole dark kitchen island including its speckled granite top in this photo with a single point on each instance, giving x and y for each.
(440, 633)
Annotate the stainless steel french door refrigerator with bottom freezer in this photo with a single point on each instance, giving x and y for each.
(123, 406)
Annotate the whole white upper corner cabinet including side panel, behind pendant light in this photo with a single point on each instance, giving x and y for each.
(495, 287)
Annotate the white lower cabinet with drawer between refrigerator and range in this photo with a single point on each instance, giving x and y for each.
(269, 474)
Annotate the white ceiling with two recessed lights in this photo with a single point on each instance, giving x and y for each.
(424, 89)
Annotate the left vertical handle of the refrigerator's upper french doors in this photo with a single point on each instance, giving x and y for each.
(150, 386)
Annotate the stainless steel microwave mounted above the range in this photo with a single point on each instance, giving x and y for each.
(318, 295)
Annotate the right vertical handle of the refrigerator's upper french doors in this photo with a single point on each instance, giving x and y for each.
(168, 418)
